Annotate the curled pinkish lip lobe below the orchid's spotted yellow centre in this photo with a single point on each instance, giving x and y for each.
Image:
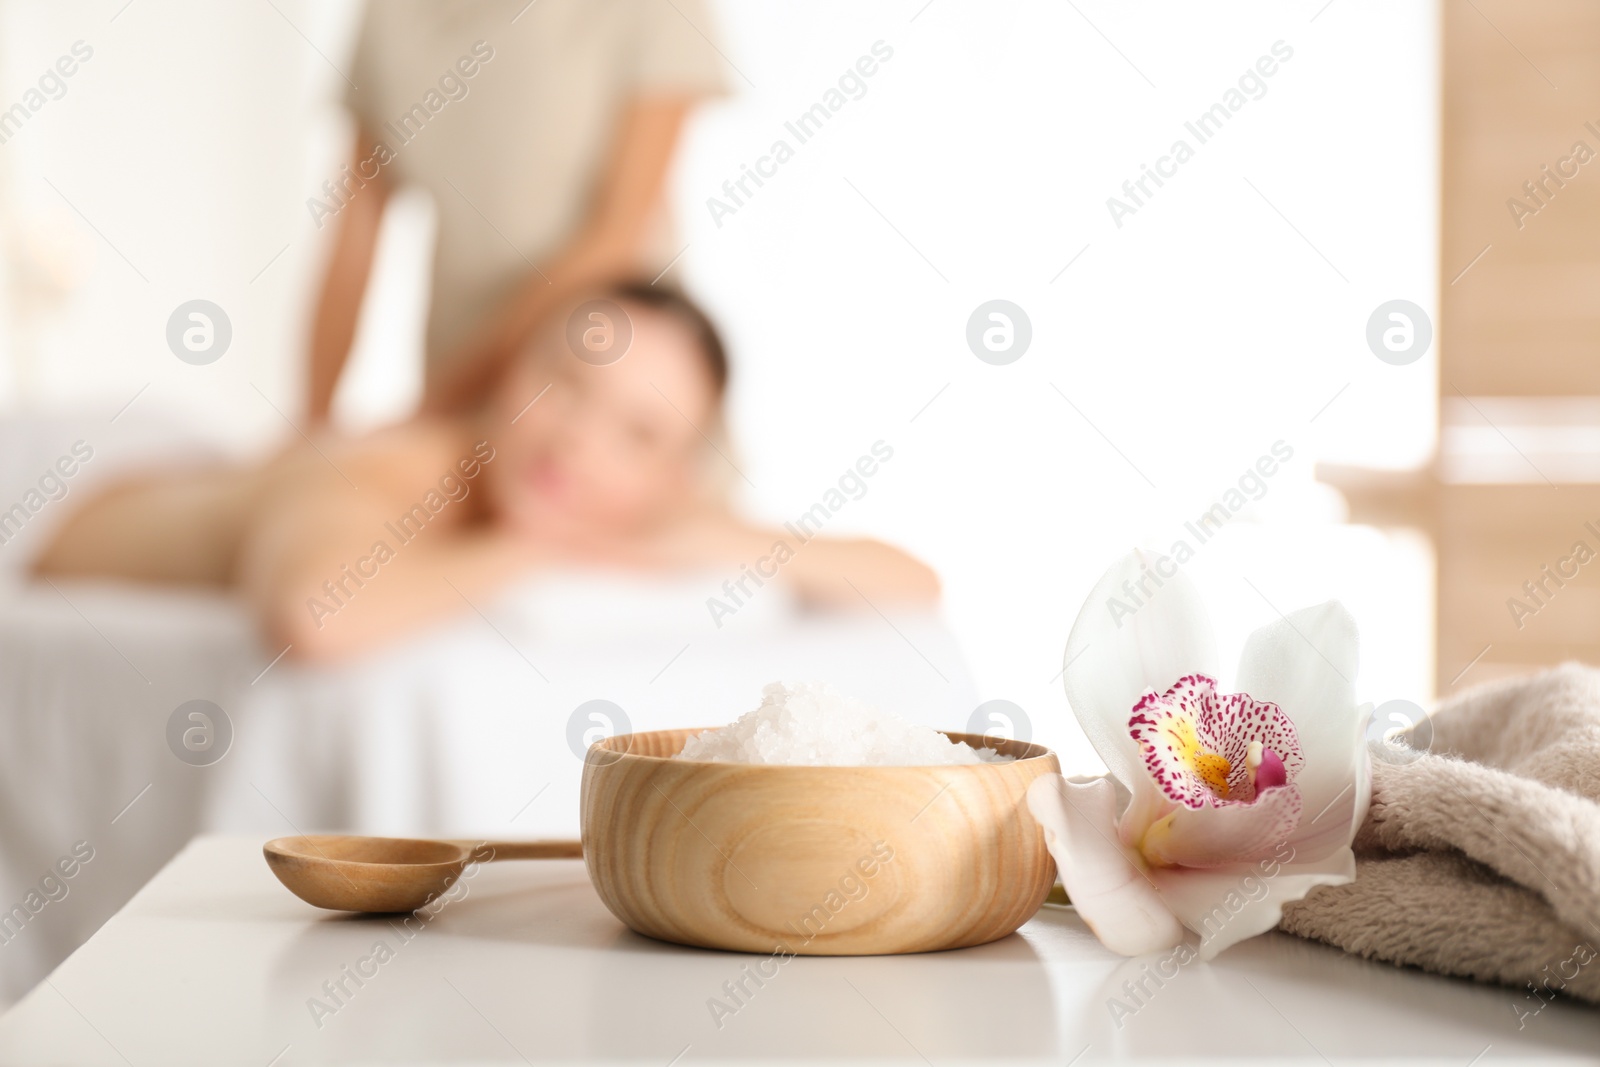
(1225, 836)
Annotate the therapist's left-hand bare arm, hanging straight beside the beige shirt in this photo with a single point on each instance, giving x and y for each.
(345, 287)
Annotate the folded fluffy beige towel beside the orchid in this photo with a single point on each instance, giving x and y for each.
(1482, 858)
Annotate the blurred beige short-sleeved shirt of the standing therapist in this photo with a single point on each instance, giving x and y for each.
(513, 151)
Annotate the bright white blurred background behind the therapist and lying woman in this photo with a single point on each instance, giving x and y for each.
(1170, 350)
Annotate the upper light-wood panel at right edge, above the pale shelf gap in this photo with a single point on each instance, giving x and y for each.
(1526, 319)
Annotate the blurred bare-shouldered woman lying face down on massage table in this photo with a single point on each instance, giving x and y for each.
(345, 545)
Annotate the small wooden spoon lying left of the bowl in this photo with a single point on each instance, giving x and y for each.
(388, 874)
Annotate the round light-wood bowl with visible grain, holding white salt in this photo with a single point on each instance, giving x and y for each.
(814, 860)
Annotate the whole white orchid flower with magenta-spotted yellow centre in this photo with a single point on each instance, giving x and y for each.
(1220, 807)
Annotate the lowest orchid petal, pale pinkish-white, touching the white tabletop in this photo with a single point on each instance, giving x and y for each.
(1230, 905)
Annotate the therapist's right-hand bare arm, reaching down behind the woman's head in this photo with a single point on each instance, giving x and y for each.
(607, 246)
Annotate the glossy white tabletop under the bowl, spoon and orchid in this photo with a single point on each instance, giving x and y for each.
(214, 962)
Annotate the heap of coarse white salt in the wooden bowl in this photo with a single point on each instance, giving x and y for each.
(810, 724)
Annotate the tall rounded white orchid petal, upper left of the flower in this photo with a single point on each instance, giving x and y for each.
(1121, 645)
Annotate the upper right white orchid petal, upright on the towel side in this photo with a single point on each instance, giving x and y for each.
(1306, 665)
